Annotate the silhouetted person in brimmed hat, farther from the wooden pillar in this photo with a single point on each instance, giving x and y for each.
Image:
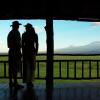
(14, 45)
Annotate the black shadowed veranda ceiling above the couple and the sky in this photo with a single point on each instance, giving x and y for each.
(42, 9)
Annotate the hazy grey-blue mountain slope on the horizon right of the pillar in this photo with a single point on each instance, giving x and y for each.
(92, 48)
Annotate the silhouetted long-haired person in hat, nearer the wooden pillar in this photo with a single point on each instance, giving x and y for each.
(29, 50)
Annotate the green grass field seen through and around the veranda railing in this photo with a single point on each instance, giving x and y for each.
(42, 68)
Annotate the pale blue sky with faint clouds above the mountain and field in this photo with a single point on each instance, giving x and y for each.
(66, 33)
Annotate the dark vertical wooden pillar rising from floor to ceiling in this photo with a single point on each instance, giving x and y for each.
(50, 51)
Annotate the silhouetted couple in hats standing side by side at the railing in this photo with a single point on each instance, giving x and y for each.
(29, 45)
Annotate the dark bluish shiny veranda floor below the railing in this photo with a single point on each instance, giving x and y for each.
(73, 91)
